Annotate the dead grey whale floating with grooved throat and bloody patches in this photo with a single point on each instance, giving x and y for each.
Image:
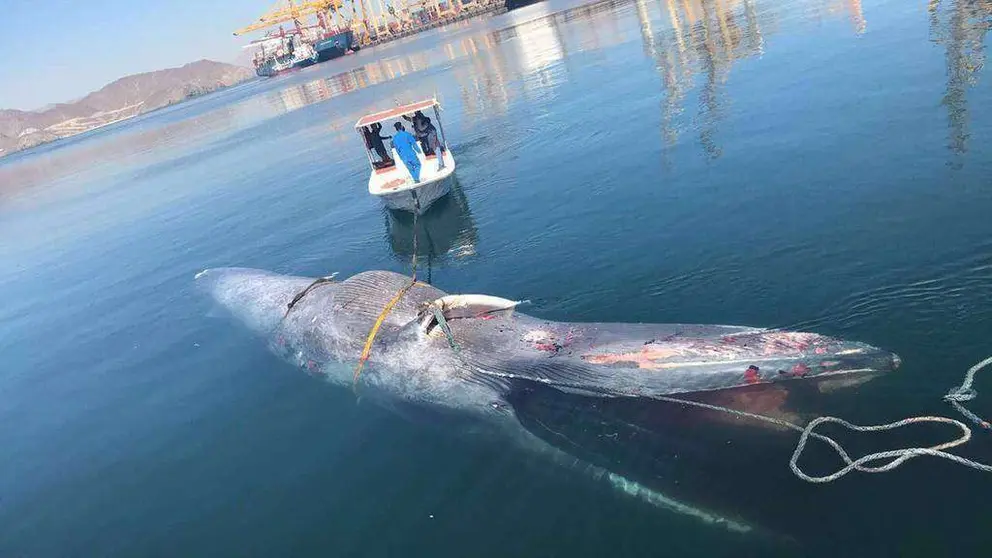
(576, 394)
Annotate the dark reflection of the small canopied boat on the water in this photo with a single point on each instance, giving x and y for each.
(447, 230)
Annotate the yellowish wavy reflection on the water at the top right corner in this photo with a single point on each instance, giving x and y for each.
(960, 26)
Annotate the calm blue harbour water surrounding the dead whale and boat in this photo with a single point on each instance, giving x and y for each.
(818, 164)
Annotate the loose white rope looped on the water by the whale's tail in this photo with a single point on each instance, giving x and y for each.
(891, 458)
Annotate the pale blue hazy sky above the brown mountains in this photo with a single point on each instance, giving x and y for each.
(59, 50)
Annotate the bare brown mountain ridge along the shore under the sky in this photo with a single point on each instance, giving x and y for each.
(124, 98)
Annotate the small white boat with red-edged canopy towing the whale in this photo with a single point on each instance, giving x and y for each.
(390, 179)
